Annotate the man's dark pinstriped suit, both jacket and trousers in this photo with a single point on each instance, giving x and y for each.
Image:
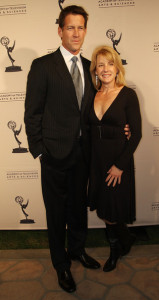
(53, 123)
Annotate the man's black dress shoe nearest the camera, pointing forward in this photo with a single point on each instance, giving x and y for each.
(66, 281)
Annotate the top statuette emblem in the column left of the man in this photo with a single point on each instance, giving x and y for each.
(5, 42)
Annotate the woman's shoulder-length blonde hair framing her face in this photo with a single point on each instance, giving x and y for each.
(112, 56)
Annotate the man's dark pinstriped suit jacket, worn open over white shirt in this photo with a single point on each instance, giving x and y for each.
(52, 116)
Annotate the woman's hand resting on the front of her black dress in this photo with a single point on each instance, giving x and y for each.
(114, 176)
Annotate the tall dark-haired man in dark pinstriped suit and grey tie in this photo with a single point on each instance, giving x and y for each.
(57, 133)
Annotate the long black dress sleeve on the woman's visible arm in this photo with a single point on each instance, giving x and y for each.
(134, 120)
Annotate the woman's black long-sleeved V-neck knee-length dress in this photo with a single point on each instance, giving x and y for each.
(109, 146)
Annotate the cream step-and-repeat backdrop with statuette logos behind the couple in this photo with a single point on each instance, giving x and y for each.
(29, 30)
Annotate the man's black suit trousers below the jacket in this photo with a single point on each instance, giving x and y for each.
(64, 187)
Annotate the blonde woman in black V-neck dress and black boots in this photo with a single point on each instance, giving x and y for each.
(111, 185)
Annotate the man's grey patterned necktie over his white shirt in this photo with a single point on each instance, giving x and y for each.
(77, 80)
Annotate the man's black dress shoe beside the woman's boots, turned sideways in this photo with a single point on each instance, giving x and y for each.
(86, 260)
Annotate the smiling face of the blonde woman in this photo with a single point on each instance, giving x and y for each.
(106, 70)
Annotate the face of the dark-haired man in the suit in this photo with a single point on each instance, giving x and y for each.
(73, 33)
